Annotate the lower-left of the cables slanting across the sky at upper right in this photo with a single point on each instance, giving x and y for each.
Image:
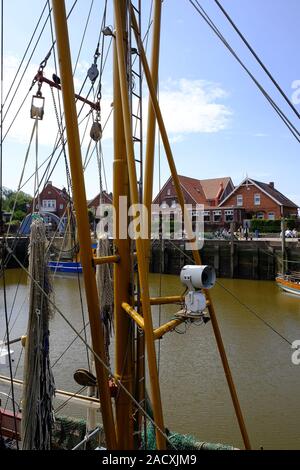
(276, 108)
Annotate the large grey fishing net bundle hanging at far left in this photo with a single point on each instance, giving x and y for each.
(39, 388)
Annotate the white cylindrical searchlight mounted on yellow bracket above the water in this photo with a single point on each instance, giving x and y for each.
(196, 278)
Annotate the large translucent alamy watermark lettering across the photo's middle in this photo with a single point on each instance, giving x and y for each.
(168, 223)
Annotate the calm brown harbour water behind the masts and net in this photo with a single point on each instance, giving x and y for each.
(194, 391)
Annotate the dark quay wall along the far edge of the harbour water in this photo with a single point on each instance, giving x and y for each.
(256, 259)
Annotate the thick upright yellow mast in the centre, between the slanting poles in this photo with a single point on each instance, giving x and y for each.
(122, 323)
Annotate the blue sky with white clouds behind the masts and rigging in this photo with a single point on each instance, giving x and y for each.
(219, 123)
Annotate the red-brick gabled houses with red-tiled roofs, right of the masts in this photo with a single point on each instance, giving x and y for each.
(223, 203)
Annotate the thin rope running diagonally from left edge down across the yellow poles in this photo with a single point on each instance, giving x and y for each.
(97, 357)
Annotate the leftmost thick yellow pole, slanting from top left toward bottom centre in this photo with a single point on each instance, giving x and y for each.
(80, 204)
